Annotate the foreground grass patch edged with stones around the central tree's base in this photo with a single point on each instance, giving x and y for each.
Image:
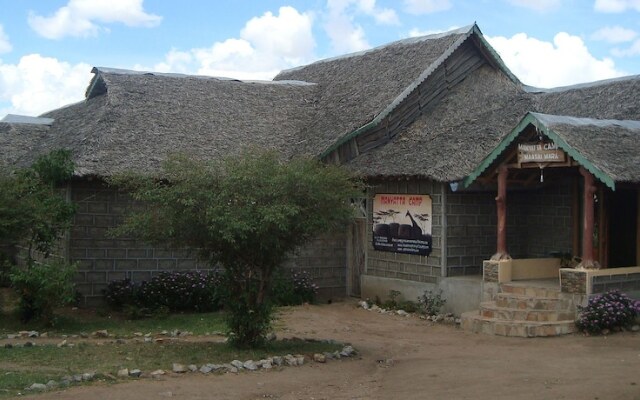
(20, 367)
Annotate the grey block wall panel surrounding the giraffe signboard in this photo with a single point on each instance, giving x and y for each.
(426, 269)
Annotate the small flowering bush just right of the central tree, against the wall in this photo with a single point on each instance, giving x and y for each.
(294, 289)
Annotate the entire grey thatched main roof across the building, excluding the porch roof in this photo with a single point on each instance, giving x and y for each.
(132, 120)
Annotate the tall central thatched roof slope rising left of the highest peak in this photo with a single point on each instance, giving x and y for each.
(355, 88)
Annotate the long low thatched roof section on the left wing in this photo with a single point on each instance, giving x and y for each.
(133, 120)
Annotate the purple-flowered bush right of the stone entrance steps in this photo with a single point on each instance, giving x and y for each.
(610, 310)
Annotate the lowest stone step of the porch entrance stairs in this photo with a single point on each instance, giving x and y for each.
(473, 322)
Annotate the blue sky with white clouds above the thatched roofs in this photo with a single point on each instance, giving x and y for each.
(47, 48)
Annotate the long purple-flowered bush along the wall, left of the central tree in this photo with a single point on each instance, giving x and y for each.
(172, 291)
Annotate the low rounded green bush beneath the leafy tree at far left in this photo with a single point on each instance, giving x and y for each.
(42, 288)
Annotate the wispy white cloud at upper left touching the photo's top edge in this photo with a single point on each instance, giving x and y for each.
(81, 18)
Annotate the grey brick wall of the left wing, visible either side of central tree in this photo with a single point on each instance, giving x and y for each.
(102, 259)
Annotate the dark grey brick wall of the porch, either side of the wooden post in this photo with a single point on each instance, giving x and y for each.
(539, 222)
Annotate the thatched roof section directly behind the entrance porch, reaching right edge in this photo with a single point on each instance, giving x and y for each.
(450, 142)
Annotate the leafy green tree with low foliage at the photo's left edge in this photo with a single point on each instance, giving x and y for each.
(34, 213)
